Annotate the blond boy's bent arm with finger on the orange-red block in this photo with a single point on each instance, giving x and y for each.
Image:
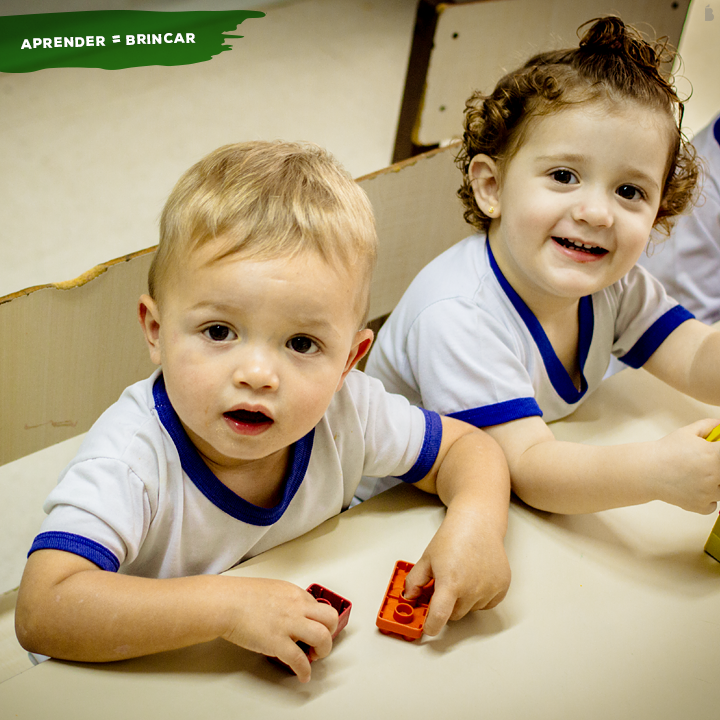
(466, 556)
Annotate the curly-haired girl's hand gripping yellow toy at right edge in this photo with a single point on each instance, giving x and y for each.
(688, 468)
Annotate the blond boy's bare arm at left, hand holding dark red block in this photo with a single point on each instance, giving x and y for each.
(70, 609)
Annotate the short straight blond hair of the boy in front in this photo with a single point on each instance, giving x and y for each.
(266, 200)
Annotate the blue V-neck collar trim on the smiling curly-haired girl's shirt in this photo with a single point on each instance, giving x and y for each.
(561, 381)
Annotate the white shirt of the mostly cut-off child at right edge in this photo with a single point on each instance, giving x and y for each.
(688, 263)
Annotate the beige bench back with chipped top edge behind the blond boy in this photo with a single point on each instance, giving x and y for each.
(67, 351)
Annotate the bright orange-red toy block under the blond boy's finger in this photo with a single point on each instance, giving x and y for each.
(398, 616)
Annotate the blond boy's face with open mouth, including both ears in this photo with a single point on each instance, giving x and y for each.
(253, 351)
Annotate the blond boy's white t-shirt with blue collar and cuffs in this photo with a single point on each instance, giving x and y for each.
(139, 499)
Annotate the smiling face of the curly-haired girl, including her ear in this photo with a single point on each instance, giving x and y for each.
(574, 207)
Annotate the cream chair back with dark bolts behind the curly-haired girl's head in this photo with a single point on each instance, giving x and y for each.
(477, 43)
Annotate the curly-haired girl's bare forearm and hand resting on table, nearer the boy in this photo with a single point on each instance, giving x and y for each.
(564, 477)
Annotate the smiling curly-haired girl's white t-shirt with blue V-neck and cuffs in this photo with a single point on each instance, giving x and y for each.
(463, 343)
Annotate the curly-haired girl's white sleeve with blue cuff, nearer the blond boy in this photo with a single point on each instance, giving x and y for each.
(469, 365)
